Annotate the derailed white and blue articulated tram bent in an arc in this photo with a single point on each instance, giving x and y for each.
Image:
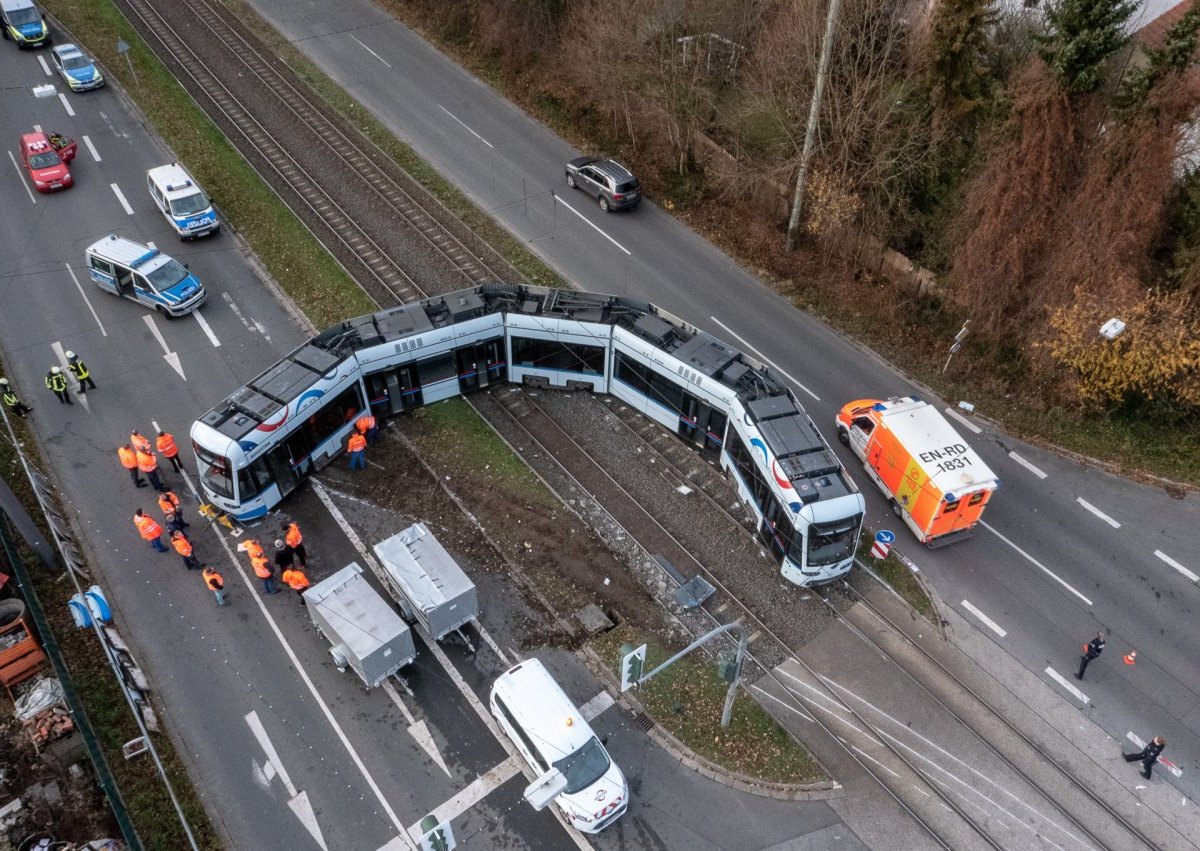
(261, 444)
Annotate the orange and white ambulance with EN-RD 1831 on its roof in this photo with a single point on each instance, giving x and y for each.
(935, 482)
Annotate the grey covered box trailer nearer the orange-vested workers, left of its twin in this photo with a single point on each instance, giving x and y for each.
(364, 631)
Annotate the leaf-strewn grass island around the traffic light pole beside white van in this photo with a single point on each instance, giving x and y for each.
(687, 700)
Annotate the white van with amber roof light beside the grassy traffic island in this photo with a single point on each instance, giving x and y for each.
(551, 734)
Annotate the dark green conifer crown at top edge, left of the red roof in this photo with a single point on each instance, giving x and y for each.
(1083, 34)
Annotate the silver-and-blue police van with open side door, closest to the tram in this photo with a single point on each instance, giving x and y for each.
(146, 275)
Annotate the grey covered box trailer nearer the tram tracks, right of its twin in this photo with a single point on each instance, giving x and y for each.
(428, 584)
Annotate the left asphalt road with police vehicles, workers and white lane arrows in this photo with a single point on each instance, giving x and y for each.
(285, 751)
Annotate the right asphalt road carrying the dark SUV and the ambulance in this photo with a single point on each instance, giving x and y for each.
(1066, 550)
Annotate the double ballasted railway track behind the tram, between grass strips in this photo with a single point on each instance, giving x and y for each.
(273, 136)
